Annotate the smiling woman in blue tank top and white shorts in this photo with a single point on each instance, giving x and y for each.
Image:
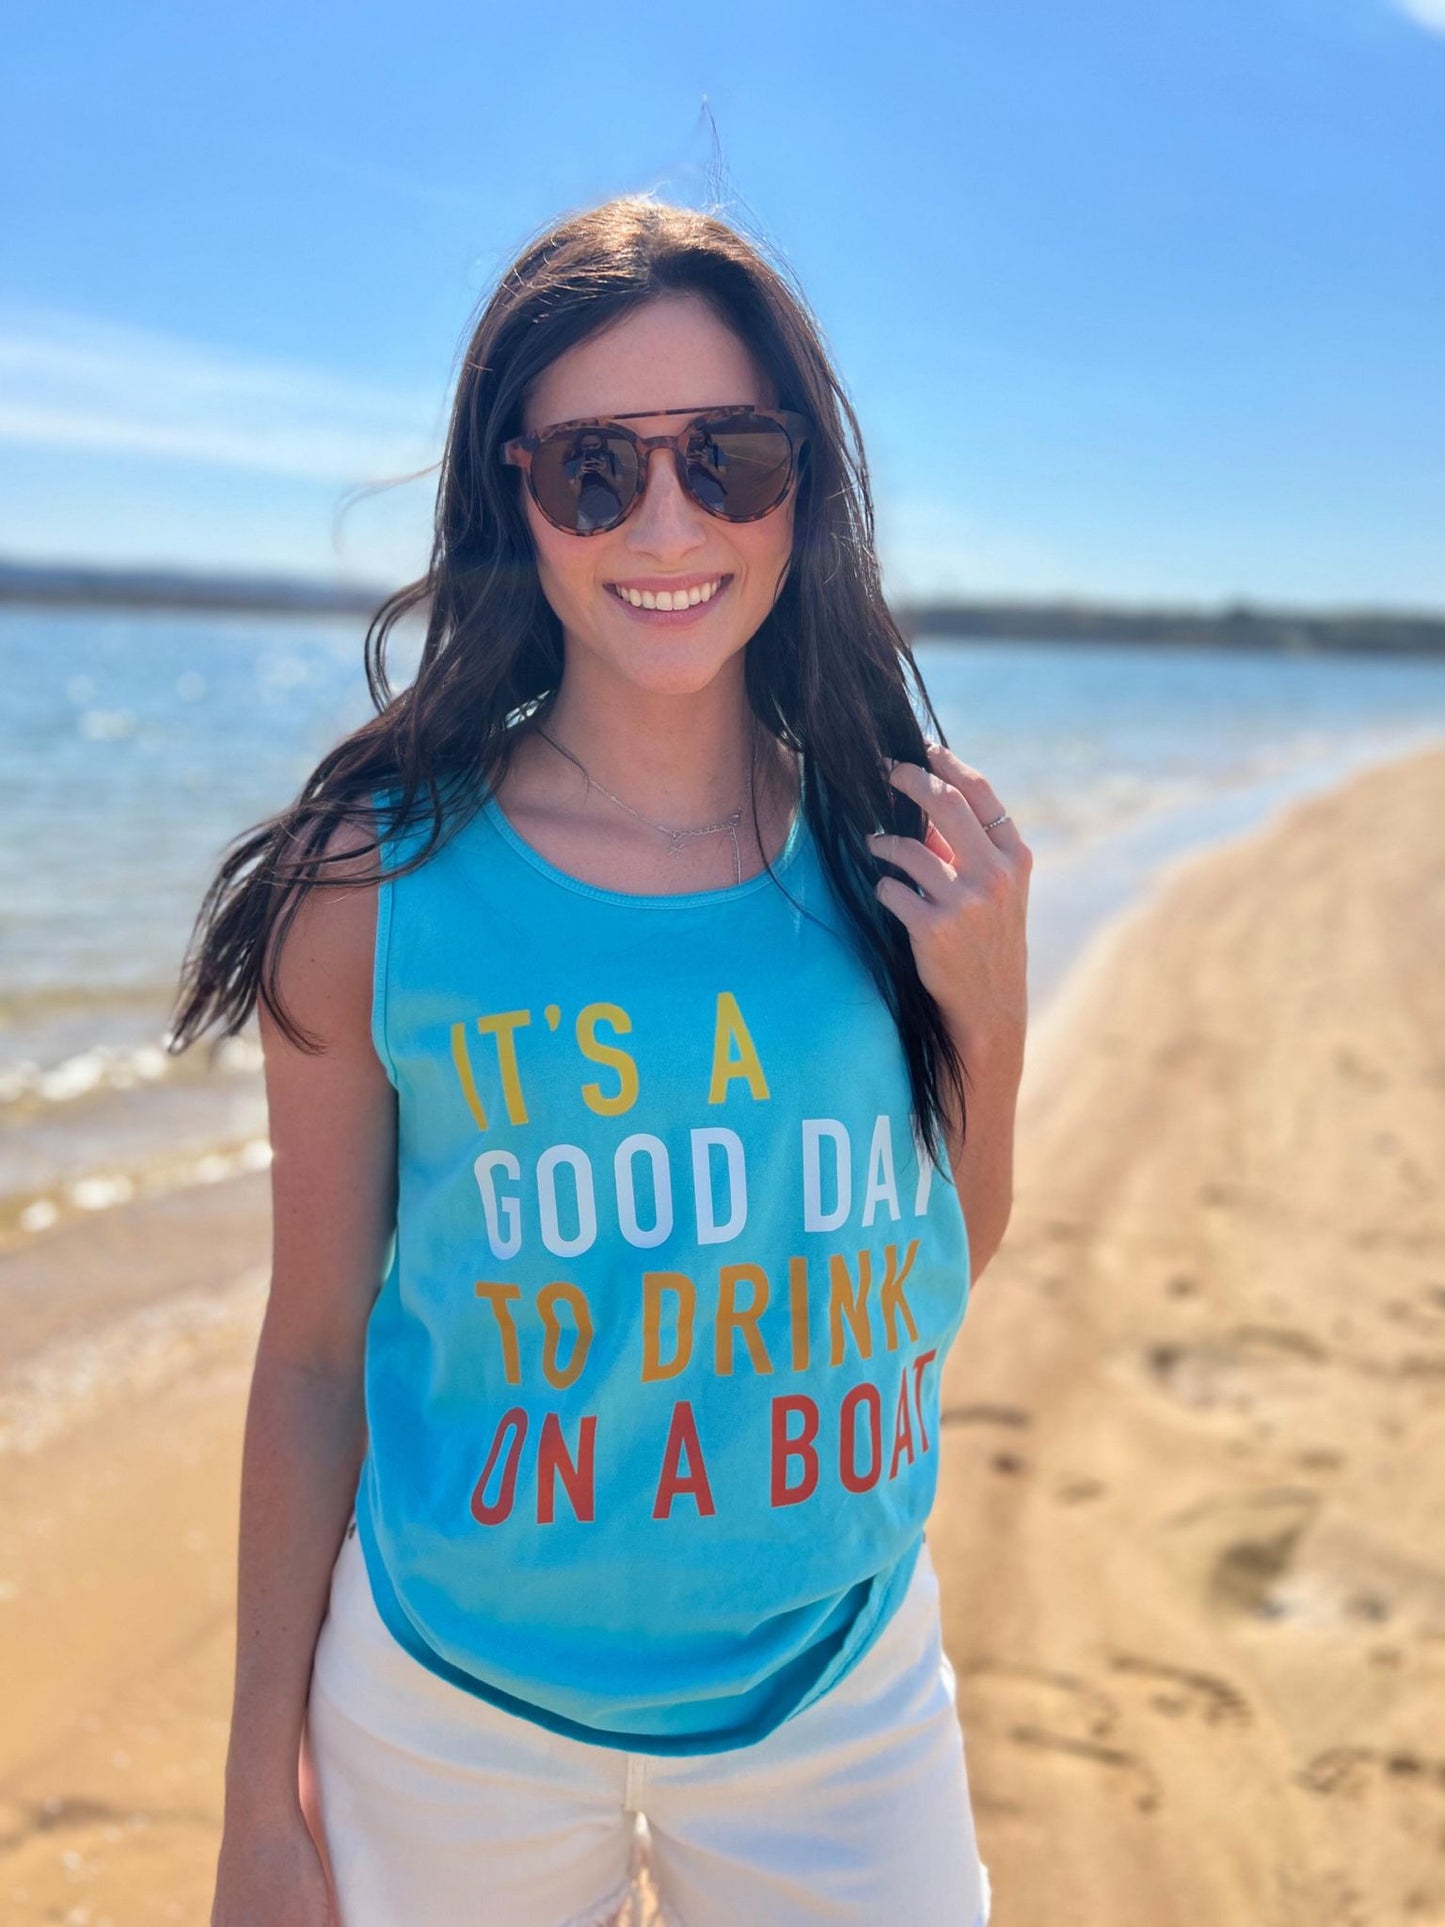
(644, 1005)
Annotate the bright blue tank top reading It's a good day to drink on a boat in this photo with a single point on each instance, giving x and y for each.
(652, 1379)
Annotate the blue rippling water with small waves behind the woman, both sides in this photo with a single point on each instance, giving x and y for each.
(136, 747)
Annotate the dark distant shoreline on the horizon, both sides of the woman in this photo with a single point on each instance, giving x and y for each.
(1236, 627)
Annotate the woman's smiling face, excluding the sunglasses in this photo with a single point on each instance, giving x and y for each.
(673, 354)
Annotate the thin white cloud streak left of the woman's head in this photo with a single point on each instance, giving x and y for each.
(86, 384)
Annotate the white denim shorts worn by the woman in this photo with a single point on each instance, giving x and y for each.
(440, 1810)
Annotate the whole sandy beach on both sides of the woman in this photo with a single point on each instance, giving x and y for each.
(1192, 1521)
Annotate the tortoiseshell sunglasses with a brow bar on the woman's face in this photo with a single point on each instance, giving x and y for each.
(589, 477)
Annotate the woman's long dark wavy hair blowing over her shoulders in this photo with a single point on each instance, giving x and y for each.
(828, 672)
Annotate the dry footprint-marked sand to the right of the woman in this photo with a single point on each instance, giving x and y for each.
(1192, 1523)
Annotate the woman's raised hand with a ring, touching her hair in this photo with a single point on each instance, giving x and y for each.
(968, 930)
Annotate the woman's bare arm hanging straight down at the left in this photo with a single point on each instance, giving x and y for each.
(332, 1126)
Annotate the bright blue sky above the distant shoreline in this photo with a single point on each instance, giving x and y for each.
(1132, 300)
